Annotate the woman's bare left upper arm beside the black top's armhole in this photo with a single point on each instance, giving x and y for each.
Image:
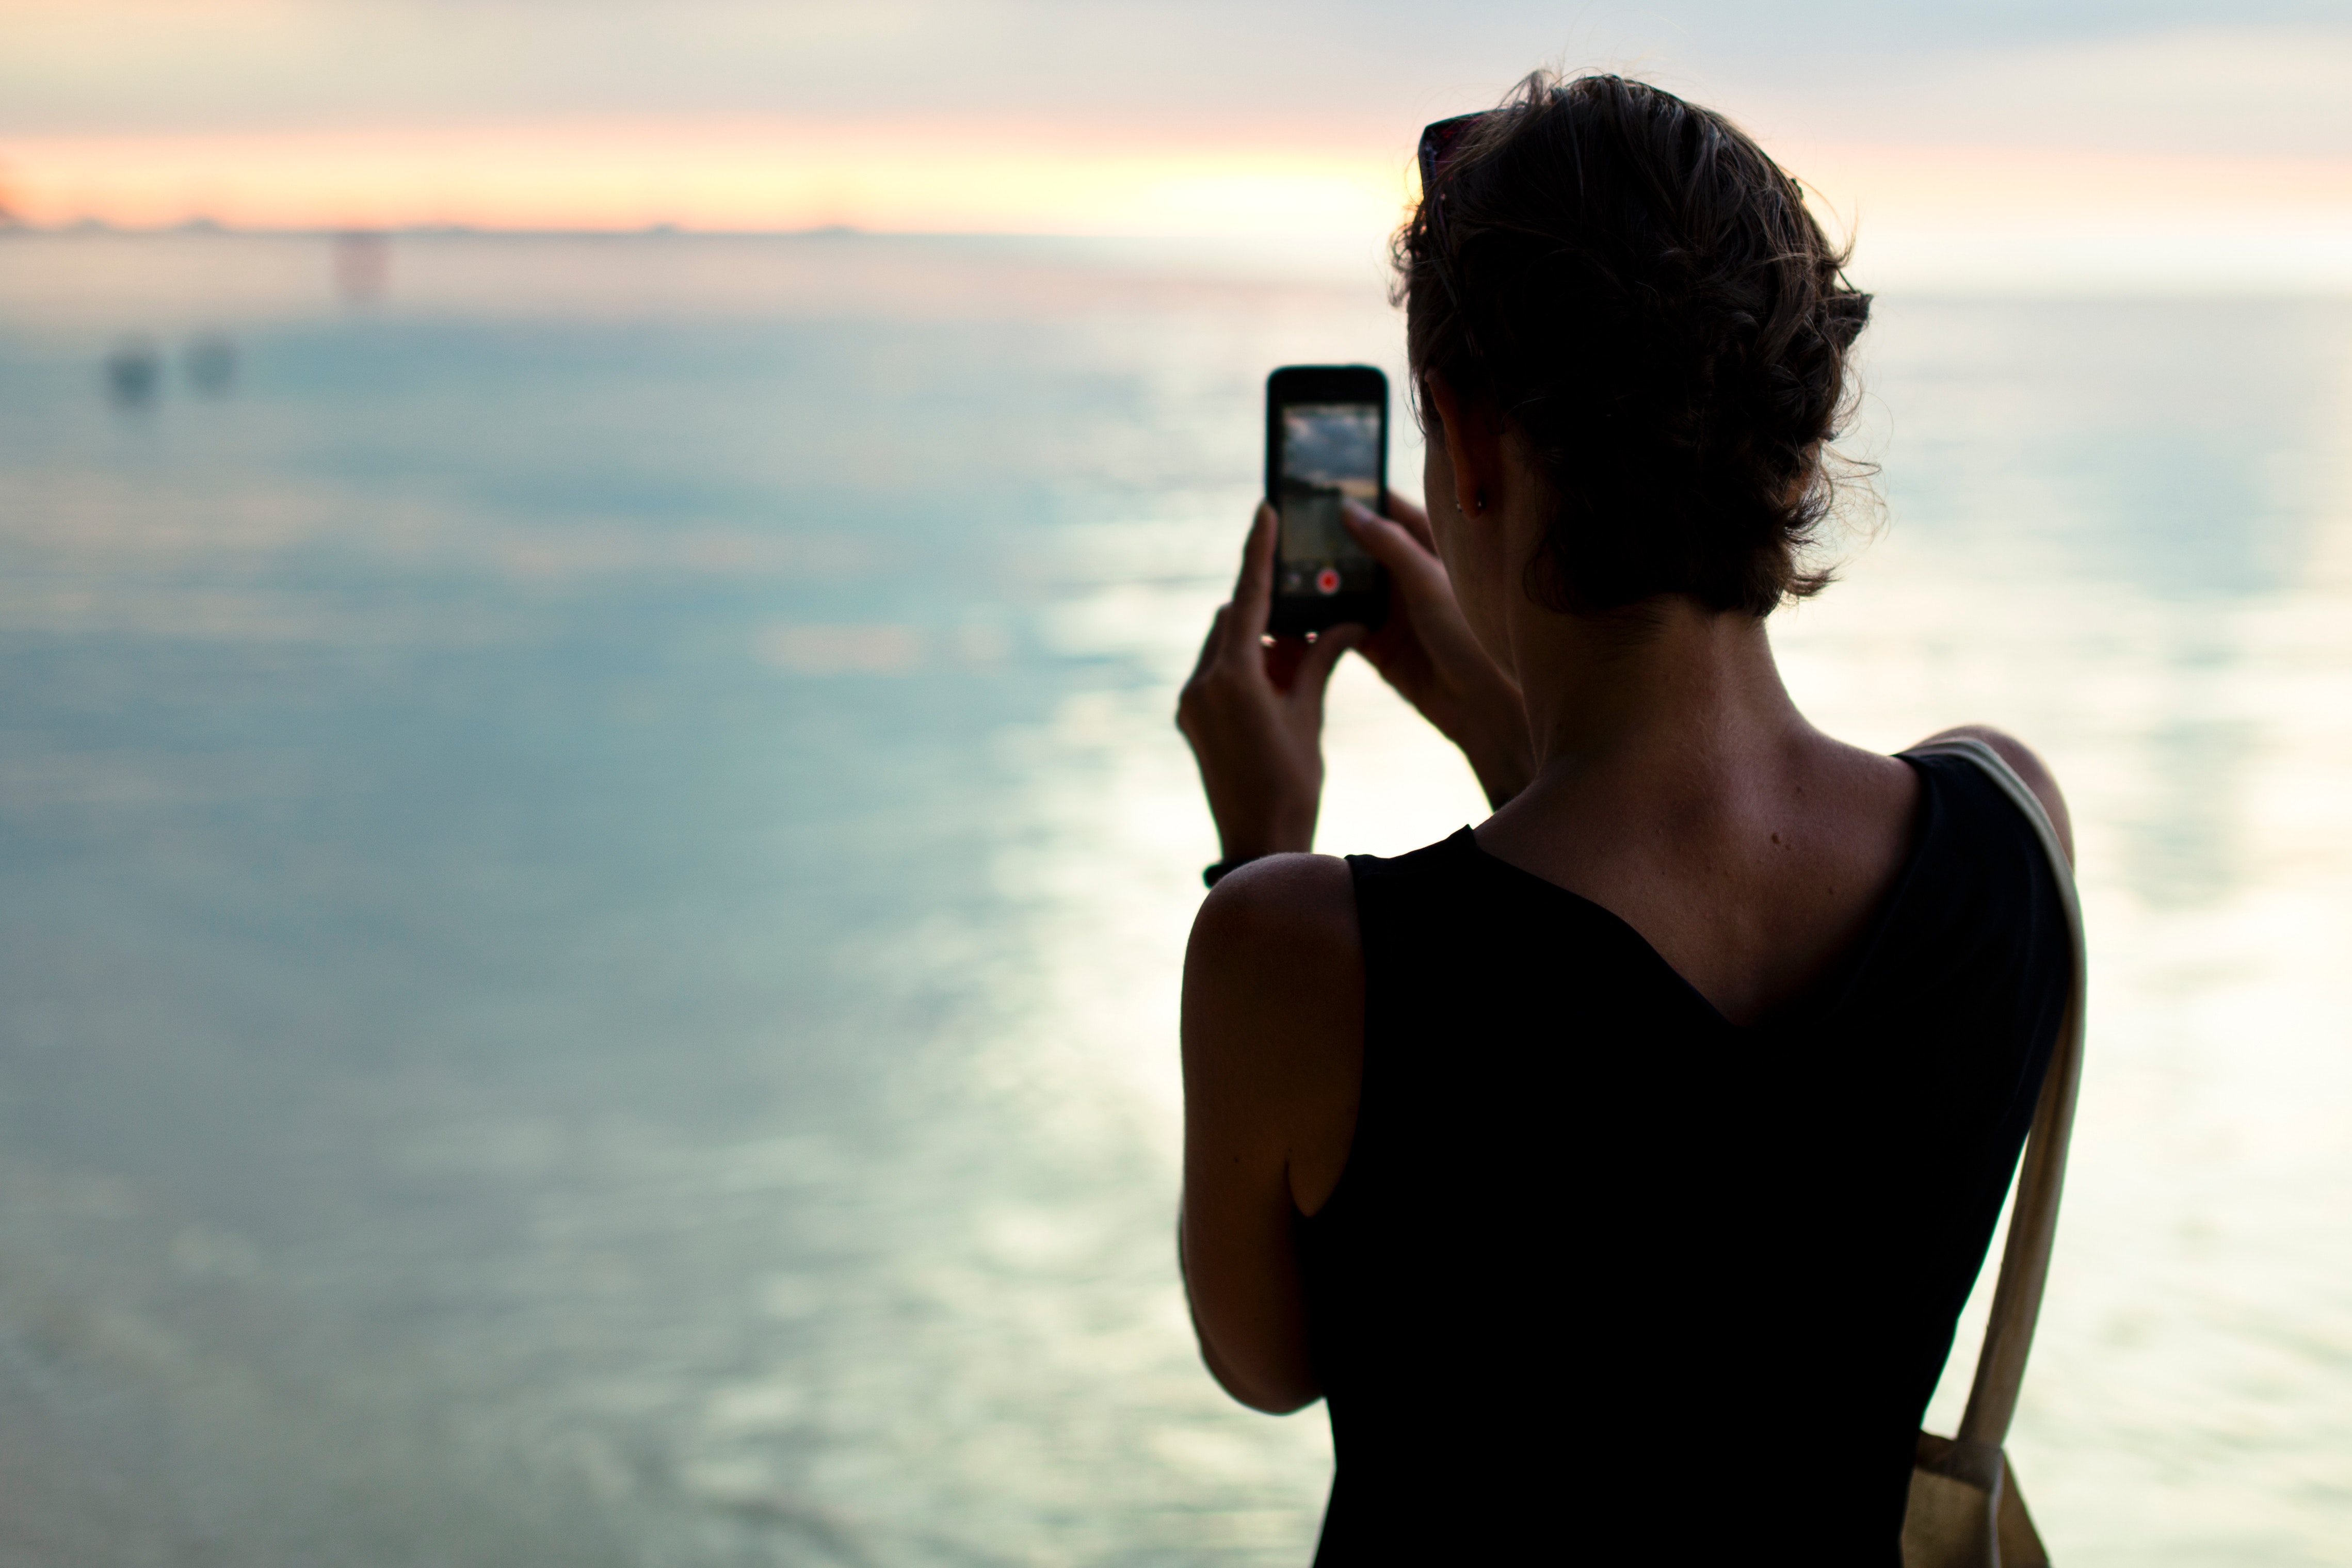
(1274, 1019)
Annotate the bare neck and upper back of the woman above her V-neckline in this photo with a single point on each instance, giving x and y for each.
(1683, 791)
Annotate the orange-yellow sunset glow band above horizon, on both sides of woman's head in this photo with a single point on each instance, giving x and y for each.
(1916, 208)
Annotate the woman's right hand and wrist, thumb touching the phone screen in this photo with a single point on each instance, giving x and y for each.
(1431, 657)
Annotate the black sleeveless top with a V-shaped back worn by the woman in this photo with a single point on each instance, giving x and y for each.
(1615, 1280)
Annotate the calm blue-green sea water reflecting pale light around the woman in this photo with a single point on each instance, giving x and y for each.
(596, 864)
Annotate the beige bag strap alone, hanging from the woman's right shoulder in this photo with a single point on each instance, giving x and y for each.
(2033, 1221)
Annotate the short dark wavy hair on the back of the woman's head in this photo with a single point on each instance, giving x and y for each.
(1643, 295)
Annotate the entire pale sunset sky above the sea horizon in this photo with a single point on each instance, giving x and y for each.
(2160, 135)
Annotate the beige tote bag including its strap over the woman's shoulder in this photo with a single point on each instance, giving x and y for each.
(1965, 1506)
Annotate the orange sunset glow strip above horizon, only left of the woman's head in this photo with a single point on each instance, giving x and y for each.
(704, 177)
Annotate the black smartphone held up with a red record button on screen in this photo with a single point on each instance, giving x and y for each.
(1325, 443)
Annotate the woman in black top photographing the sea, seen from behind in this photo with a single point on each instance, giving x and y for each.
(1615, 1170)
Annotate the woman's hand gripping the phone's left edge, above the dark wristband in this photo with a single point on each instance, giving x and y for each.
(1252, 713)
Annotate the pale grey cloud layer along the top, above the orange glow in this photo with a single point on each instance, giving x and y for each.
(1196, 67)
